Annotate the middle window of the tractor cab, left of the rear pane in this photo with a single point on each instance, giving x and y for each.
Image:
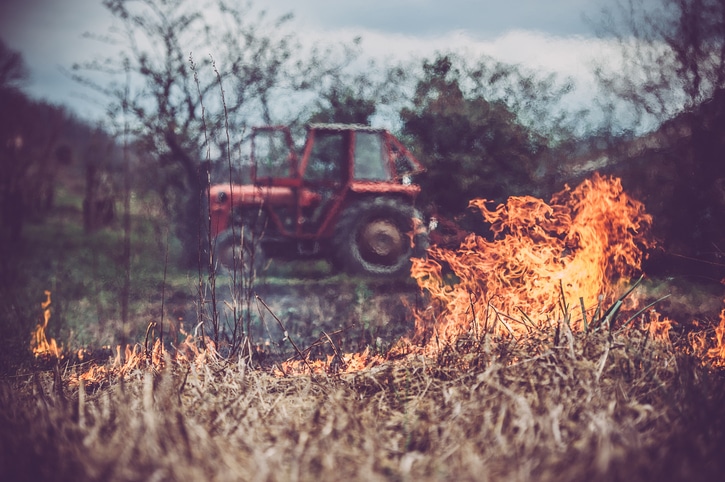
(327, 158)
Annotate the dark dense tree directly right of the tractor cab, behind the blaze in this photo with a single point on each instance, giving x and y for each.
(481, 130)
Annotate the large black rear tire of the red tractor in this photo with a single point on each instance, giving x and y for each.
(372, 238)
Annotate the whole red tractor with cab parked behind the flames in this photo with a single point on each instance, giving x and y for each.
(347, 197)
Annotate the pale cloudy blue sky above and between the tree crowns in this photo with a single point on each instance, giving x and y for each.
(543, 34)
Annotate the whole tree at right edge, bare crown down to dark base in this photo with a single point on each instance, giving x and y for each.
(670, 75)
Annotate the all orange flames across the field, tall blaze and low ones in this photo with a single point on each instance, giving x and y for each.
(546, 265)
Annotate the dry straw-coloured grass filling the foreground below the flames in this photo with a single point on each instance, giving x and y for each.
(588, 407)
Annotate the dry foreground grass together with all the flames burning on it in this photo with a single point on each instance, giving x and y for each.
(504, 379)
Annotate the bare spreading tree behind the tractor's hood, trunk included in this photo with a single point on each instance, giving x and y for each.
(189, 77)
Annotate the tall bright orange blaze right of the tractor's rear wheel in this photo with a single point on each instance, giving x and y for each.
(542, 258)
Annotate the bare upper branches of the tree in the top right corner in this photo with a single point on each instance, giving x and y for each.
(672, 55)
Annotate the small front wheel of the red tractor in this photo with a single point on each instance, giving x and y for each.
(236, 248)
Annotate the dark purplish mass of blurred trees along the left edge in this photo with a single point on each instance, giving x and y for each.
(43, 144)
